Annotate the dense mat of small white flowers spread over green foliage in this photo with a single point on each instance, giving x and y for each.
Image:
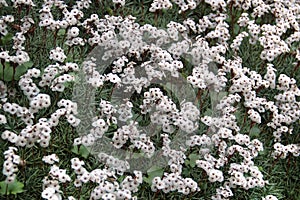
(223, 138)
